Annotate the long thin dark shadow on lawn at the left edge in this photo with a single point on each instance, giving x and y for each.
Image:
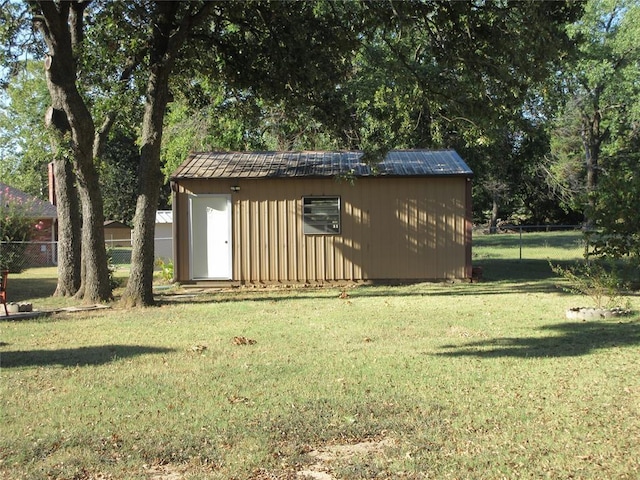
(71, 357)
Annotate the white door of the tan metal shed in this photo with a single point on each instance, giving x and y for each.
(210, 231)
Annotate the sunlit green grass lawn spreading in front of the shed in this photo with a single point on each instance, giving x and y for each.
(483, 380)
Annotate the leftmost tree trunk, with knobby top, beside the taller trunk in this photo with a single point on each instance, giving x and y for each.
(69, 229)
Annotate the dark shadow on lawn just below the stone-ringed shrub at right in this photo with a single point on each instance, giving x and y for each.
(574, 339)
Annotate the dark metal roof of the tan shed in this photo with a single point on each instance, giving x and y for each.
(400, 163)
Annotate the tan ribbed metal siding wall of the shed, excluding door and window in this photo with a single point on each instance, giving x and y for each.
(391, 228)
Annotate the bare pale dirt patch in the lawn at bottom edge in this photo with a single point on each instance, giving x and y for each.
(325, 456)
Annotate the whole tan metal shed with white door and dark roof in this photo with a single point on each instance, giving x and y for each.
(317, 217)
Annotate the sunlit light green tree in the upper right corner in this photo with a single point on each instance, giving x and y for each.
(599, 98)
